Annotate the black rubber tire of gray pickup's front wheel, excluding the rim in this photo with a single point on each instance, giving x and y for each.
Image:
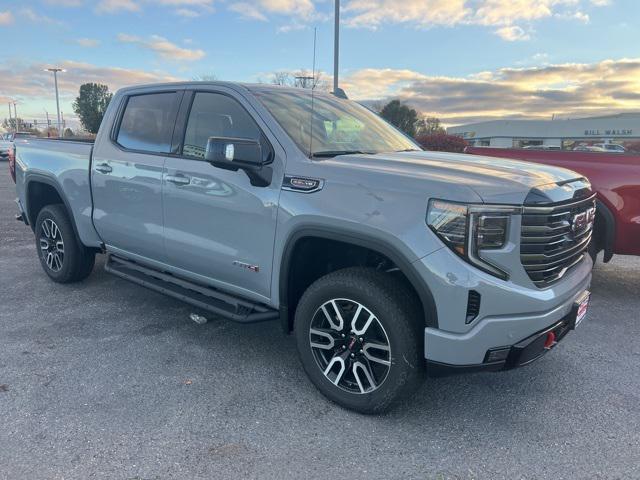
(405, 357)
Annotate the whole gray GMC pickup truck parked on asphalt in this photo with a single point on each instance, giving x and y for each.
(258, 202)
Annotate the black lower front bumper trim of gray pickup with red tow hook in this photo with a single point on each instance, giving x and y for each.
(520, 354)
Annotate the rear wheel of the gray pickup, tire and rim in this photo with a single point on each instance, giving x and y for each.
(63, 258)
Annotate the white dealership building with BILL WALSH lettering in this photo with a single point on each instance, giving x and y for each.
(621, 128)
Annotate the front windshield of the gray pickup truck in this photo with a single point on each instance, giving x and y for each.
(338, 126)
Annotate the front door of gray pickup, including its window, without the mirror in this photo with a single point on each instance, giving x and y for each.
(218, 227)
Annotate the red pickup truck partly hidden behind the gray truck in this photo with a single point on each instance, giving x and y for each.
(616, 179)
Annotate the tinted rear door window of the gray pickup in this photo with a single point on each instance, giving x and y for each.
(147, 122)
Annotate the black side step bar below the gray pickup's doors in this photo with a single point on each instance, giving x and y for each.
(206, 298)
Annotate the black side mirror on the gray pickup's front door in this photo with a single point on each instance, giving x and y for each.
(236, 154)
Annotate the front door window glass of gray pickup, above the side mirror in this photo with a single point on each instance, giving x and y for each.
(216, 115)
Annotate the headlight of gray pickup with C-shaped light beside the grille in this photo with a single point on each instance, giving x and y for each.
(469, 230)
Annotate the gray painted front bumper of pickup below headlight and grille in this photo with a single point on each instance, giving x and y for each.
(510, 314)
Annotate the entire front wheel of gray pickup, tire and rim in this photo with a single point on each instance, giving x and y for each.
(359, 339)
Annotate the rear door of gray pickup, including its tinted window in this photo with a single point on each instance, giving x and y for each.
(126, 174)
